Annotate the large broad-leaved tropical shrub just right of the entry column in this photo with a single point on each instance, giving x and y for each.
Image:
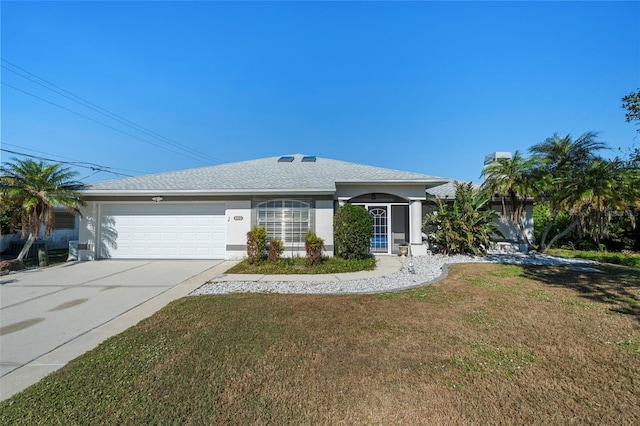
(464, 227)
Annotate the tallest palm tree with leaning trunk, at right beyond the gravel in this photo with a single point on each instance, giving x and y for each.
(563, 162)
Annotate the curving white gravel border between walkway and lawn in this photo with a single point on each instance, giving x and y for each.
(415, 272)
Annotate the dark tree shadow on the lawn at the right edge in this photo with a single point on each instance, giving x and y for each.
(617, 286)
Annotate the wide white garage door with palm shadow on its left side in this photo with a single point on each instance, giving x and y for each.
(163, 231)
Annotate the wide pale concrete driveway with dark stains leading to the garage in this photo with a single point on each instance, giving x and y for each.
(50, 316)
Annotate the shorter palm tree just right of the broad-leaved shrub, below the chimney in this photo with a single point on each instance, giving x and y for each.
(514, 181)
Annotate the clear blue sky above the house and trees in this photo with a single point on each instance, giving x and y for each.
(428, 87)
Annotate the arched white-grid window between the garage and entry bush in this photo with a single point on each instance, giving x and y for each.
(285, 220)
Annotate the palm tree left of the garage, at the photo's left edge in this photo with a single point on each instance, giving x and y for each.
(34, 189)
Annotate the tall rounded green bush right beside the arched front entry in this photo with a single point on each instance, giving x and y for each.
(353, 229)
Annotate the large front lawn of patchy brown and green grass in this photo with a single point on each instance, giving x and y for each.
(491, 344)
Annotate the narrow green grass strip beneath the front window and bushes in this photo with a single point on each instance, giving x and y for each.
(297, 265)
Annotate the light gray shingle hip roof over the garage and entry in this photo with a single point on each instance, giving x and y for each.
(263, 175)
